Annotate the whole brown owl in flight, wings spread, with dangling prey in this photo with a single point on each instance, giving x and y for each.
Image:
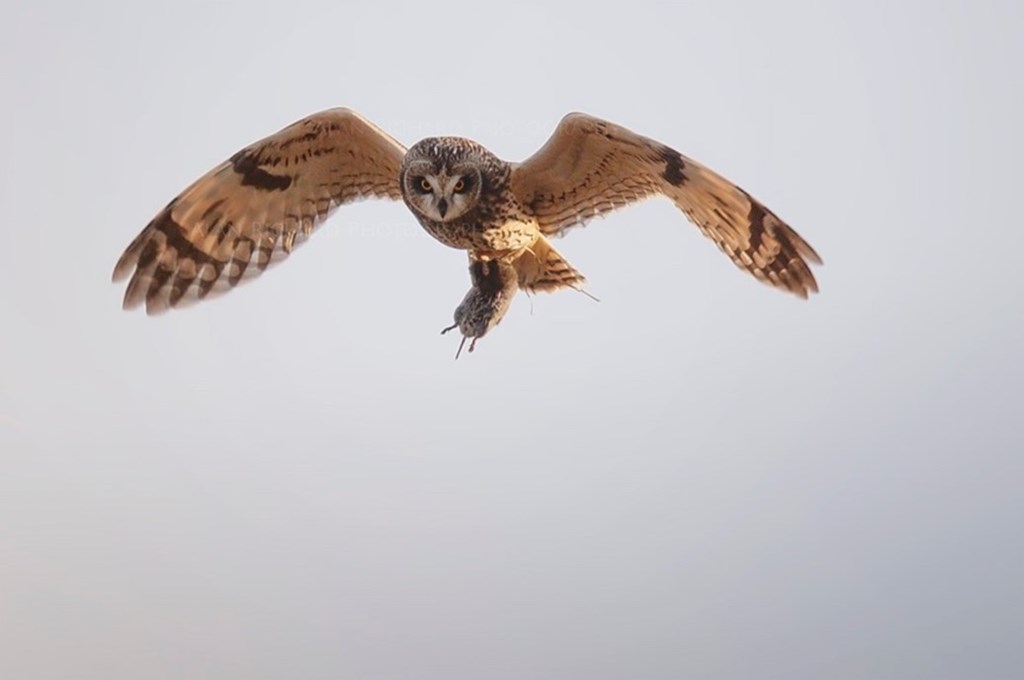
(257, 207)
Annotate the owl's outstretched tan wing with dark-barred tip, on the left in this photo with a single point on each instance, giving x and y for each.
(254, 208)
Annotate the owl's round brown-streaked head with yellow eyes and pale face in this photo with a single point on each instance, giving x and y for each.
(443, 178)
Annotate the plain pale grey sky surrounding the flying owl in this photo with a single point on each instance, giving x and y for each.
(698, 477)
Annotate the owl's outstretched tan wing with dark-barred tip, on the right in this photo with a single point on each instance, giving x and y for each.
(590, 167)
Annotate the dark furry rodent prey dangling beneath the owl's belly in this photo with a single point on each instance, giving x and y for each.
(495, 284)
